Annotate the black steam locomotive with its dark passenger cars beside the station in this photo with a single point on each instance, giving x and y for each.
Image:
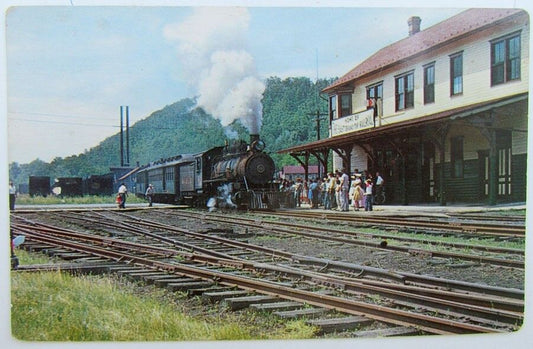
(237, 175)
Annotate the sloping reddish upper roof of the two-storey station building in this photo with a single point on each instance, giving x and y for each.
(442, 33)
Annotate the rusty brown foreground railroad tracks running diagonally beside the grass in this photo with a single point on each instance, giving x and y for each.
(232, 262)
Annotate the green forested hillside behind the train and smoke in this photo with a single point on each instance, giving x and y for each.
(289, 112)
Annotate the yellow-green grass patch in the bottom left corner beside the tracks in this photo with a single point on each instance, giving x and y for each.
(55, 306)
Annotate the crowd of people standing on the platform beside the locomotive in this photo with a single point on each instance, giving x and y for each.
(338, 191)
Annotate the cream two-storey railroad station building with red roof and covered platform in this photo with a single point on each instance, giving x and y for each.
(442, 114)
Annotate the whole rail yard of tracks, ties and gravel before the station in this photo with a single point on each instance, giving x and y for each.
(348, 274)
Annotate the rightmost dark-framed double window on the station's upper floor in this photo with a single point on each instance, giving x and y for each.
(505, 59)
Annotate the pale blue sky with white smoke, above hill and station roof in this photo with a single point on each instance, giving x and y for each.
(70, 67)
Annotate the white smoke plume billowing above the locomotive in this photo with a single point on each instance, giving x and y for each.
(212, 51)
